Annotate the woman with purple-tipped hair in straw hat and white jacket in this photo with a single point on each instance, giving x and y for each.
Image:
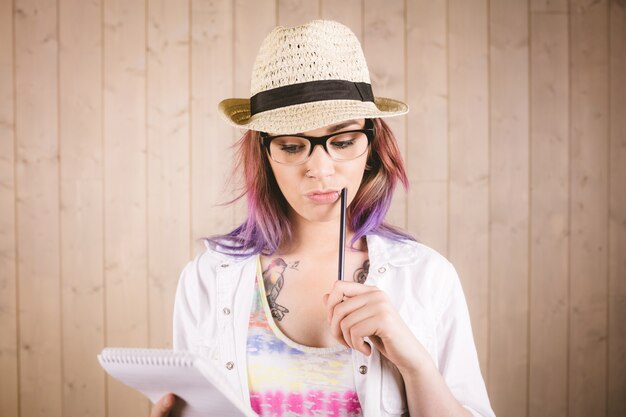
(264, 303)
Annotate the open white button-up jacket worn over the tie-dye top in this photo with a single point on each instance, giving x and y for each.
(214, 298)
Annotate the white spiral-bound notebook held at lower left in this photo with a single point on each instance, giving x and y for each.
(194, 380)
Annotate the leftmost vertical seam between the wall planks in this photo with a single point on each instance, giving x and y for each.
(18, 333)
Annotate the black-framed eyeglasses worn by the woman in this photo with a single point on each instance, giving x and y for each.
(340, 146)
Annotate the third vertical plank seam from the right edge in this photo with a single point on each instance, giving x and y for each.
(530, 205)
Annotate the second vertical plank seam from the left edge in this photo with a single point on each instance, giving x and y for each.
(59, 199)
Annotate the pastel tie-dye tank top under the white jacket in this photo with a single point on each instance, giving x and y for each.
(288, 379)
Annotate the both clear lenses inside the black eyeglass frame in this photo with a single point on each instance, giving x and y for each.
(295, 150)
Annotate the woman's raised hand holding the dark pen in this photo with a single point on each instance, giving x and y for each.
(356, 311)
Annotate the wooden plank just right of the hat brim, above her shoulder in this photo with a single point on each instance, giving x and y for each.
(427, 123)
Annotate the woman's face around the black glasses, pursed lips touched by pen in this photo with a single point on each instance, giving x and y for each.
(313, 188)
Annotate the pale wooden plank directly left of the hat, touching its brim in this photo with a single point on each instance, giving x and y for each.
(211, 152)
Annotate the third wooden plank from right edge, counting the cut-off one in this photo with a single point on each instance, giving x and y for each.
(549, 214)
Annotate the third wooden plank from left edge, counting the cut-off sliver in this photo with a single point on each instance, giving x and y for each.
(82, 182)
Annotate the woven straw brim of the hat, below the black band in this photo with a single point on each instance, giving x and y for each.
(307, 116)
